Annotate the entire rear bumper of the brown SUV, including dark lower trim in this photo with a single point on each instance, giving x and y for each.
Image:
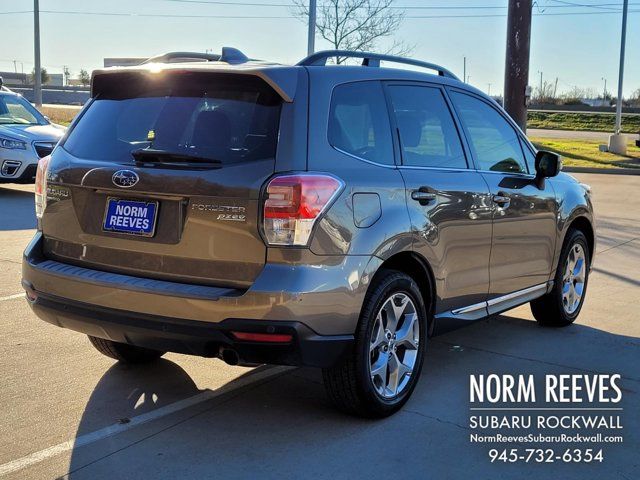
(318, 305)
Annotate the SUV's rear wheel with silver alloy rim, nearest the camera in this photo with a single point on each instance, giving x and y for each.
(353, 385)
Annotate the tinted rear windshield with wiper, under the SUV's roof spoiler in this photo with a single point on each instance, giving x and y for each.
(223, 117)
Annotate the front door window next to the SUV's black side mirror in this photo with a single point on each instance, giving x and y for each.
(494, 142)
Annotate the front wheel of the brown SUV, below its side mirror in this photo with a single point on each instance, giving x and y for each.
(561, 306)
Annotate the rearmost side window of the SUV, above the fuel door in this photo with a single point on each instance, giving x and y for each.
(359, 122)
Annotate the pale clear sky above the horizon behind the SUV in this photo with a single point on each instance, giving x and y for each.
(578, 49)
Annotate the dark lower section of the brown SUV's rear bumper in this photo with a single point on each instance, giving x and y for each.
(196, 338)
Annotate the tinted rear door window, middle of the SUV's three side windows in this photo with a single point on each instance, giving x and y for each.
(428, 135)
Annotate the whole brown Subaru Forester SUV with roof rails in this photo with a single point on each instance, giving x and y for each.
(314, 214)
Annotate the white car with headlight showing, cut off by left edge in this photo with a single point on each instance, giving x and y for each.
(25, 137)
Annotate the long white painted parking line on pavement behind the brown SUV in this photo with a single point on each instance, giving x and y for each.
(103, 433)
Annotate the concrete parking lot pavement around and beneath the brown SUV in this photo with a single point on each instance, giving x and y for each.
(67, 411)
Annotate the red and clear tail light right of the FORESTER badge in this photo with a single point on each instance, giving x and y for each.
(294, 203)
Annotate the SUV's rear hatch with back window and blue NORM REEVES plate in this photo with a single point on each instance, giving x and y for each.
(161, 177)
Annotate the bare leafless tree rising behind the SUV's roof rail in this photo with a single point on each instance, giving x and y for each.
(357, 25)
